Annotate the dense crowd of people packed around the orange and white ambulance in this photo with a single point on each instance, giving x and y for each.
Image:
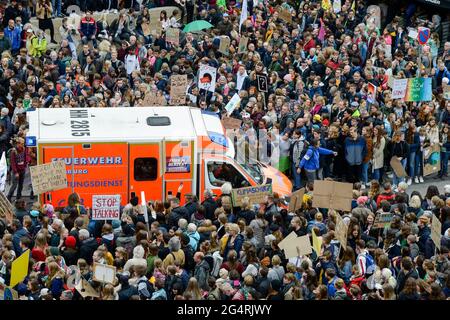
(315, 112)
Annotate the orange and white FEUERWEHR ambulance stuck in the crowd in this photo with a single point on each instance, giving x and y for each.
(124, 151)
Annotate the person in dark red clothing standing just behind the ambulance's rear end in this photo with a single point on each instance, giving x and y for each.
(19, 159)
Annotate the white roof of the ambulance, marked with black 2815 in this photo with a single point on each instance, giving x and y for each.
(121, 124)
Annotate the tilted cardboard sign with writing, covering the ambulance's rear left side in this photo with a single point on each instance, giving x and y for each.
(49, 176)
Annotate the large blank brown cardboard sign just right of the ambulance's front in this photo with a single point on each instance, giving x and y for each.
(332, 194)
